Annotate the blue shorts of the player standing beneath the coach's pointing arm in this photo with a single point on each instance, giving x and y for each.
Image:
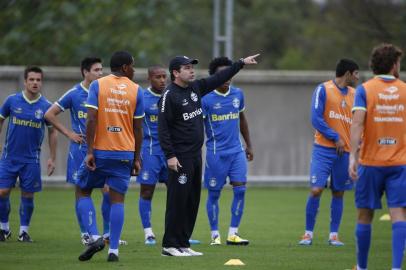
(219, 166)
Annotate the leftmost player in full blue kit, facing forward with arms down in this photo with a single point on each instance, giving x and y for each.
(21, 152)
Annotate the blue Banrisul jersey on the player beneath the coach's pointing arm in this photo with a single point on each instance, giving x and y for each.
(222, 120)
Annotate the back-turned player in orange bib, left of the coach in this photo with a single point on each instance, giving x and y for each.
(114, 136)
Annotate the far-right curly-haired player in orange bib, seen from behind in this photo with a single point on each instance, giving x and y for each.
(379, 117)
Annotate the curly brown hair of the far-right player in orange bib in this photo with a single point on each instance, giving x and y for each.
(383, 57)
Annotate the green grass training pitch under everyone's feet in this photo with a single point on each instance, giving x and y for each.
(273, 222)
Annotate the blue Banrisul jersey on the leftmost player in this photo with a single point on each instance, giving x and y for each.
(25, 131)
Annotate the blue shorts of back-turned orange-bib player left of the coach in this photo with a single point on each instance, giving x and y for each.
(113, 172)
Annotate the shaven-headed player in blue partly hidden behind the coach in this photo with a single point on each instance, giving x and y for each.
(154, 166)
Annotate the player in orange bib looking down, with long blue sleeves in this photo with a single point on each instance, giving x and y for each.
(331, 117)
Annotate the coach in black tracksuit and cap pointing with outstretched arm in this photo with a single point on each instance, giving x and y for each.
(180, 130)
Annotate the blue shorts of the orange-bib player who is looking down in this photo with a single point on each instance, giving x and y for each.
(326, 163)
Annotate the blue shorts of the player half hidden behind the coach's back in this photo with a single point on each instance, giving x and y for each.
(154, 169)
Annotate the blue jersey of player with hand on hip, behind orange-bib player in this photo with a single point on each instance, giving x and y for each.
(75, 100)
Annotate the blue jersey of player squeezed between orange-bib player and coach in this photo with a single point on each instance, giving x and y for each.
(150, 142)
